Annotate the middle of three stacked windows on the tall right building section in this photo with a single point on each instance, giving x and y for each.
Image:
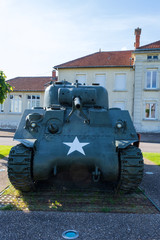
(151, 82)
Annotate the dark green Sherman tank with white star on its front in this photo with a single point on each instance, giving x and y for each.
(76, 128)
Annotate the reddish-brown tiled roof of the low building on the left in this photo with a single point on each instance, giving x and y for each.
(35, 84)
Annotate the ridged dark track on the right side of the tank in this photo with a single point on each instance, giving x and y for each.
(131, 169)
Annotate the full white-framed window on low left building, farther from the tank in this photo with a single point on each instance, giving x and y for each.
(16, 103)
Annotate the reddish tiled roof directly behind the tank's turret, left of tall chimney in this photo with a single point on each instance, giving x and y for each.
(101, 59)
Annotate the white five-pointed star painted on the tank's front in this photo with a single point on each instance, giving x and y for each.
(76, 146)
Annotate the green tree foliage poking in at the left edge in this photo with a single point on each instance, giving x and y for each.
(4, 87)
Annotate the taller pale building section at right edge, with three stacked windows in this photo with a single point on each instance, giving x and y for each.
(147, 88)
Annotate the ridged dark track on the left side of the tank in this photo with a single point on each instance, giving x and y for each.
(20, 168)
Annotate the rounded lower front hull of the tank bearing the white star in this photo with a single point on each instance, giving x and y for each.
(95, 151)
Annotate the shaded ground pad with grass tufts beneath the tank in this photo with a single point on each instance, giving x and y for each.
(62, 194)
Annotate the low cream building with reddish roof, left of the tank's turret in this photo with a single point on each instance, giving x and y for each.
(28, 92)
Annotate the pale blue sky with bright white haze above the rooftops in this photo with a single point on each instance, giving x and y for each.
(36, 35)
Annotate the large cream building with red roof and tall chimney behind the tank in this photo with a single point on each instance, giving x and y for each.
(132, 79)
